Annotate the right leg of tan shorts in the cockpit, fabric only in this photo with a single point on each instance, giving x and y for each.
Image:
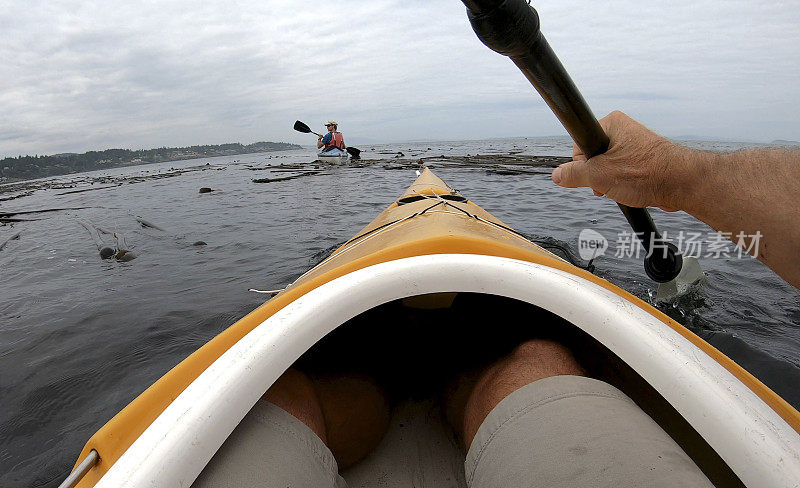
(571, 431)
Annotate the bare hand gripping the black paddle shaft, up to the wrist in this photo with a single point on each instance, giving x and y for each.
(640, 168)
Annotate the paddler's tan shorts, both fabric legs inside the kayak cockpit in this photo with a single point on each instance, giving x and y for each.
(558, 432)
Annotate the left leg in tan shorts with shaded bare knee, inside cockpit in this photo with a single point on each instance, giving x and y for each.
(302, 431)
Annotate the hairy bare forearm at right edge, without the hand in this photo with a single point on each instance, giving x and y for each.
(748, 192)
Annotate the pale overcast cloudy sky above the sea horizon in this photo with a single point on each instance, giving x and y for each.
(82, 75)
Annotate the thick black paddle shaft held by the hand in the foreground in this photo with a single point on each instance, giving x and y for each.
(511, 28)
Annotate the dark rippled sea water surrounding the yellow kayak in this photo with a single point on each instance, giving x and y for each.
(80, 337)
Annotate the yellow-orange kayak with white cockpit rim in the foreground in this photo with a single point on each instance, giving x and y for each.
(437, 257)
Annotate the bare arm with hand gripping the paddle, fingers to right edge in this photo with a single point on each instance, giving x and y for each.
(740, 192)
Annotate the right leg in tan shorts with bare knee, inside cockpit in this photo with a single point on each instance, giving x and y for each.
(532, 419)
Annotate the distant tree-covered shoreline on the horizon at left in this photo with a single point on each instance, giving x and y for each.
(24, 168)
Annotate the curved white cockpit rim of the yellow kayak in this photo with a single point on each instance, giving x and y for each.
(757, 444)
